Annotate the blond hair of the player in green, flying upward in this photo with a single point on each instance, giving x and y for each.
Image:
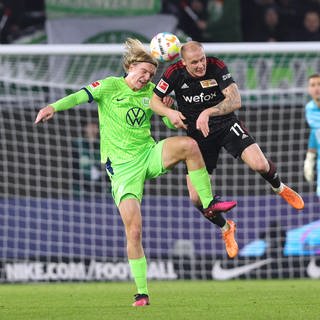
(135, 52)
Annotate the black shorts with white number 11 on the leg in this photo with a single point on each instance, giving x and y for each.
(233, 136)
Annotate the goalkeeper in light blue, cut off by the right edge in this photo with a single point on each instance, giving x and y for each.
(312, 112)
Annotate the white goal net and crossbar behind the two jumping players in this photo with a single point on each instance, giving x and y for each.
(57, 217)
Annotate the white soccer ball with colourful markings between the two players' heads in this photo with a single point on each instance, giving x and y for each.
(165, 46)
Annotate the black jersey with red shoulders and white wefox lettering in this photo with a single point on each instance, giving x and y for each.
(193, 95)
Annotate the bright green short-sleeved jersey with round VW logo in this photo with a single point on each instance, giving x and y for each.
(124, 118)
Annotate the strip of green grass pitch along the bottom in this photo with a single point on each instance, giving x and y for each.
(238, 299)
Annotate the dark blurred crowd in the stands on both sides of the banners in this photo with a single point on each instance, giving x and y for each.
(201, 20)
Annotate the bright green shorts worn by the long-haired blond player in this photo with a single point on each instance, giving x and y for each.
(127, 179)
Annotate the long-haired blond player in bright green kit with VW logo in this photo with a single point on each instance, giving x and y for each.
(131, 154)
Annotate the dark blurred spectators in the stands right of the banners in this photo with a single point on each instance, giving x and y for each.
(247, 20)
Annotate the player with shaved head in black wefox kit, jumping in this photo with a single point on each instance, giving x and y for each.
(207, 97)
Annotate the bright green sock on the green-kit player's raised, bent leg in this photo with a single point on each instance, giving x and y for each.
(201, 182)
